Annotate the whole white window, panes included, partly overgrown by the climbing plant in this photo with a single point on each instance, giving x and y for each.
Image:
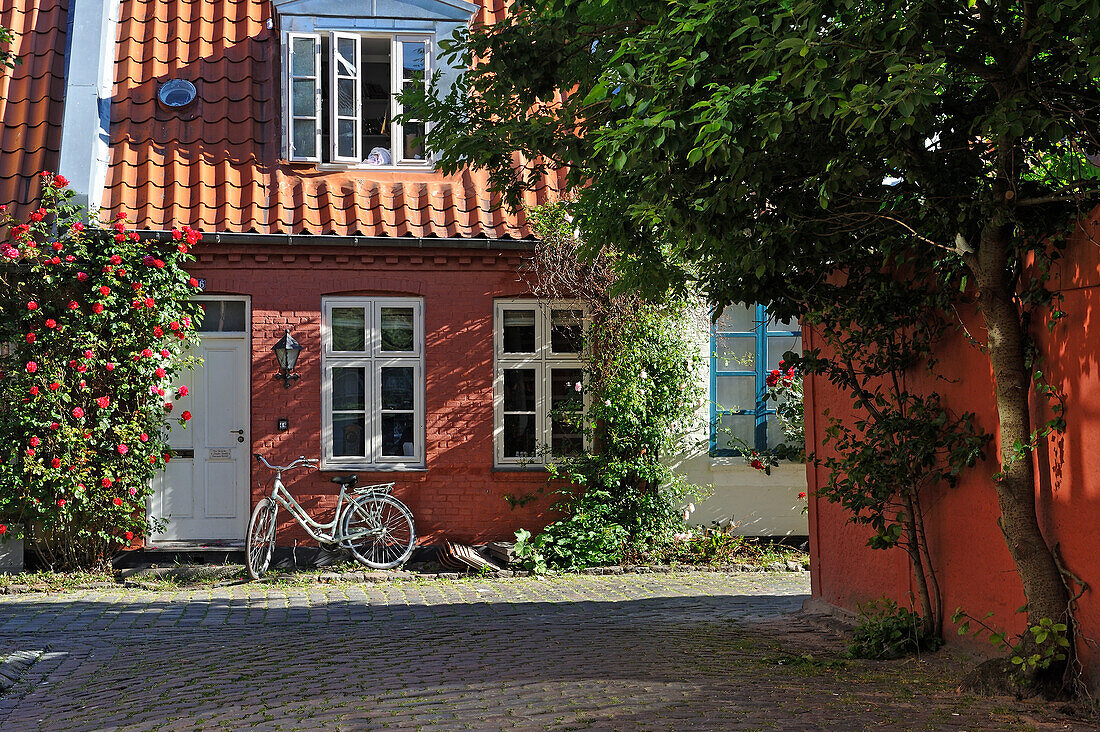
(538, 381)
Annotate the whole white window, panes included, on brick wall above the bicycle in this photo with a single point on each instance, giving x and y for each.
(372, 387)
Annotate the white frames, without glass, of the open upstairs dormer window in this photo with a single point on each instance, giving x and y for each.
(331, 159)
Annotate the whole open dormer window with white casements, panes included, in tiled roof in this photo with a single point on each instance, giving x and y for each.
(342, 97)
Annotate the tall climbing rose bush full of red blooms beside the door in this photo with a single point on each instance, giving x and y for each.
(97, 324)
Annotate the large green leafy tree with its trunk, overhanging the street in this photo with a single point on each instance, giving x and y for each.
(800, 152)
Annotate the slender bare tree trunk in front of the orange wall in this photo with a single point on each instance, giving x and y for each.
(1044, 587)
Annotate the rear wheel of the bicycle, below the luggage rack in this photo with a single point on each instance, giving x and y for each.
(379, 532)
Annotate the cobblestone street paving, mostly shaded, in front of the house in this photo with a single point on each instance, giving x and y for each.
(643, 652)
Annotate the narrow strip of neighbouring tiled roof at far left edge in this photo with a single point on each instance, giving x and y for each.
(31, 96)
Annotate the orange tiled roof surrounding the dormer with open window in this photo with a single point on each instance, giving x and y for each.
(218, 168)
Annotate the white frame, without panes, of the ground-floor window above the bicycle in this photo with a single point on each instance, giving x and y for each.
(373, 359)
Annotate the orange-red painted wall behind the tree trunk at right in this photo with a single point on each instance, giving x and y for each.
(969, 550)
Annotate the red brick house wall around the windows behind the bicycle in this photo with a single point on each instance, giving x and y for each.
(460, 496)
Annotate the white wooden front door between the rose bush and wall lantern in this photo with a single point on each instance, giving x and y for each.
(204, 494)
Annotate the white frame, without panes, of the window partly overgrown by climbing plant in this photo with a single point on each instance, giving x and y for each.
(543, 360)
